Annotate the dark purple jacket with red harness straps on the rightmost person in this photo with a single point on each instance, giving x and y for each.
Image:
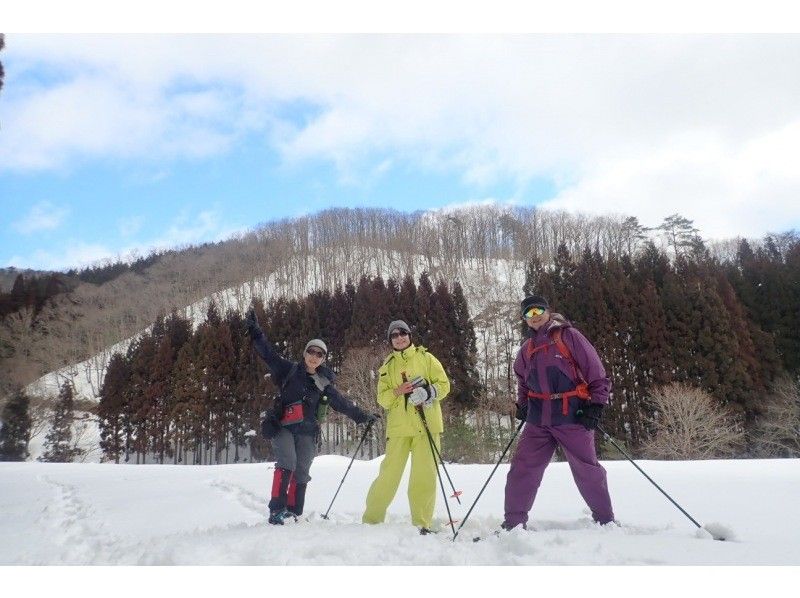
(547, 371)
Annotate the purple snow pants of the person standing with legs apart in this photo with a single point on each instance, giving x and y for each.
(536, 447)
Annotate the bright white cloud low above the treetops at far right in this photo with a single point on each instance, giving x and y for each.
(746, 189)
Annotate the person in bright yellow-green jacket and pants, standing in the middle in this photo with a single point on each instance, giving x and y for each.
(405, 432)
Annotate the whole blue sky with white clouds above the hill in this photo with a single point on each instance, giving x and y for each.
(117, 143)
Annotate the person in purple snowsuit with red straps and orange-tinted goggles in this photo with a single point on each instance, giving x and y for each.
(561, 400)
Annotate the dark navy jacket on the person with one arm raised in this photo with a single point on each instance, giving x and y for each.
(296, 384)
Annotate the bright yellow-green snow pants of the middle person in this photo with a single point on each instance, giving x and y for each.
(421, 482)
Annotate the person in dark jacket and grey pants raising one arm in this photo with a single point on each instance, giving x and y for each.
(292, 425)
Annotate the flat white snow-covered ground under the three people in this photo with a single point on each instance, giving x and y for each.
(55, 514)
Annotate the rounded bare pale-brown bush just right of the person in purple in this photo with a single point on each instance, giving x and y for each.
(689, 424)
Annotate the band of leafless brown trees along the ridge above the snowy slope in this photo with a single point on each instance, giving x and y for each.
(52, 321)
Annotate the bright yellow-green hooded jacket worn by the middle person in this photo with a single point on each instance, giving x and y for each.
(413, 361)
